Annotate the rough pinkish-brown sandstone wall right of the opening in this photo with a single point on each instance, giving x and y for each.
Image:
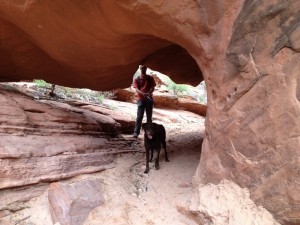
(253, 121)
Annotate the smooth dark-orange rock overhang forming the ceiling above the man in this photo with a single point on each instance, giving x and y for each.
(89, 44)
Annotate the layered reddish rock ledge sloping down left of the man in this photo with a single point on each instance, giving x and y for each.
(45, 141)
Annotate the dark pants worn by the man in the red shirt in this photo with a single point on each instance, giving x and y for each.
(142, 105)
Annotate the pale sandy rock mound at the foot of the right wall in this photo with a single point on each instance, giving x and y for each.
(227, 203)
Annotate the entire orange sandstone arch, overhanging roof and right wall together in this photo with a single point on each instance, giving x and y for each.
(248, 52)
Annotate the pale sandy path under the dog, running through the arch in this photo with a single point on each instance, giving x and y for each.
(131, 197)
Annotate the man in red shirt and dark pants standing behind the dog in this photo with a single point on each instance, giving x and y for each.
(144, 85)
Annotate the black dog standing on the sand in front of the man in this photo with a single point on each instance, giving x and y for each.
(154, 137)
